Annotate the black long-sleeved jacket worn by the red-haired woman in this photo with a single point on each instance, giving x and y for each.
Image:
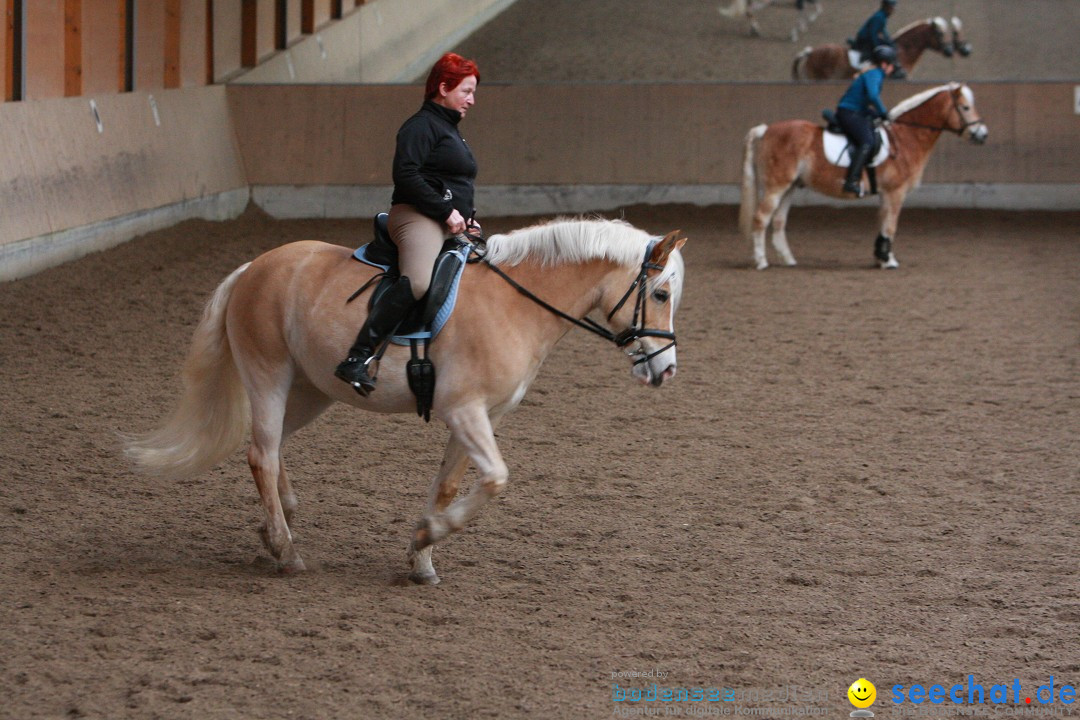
(434, 168)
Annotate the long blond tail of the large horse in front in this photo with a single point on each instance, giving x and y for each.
(213, 416)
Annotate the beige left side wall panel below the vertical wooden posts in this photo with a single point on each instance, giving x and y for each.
(58, 172)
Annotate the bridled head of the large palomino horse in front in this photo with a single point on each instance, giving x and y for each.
(646, 313)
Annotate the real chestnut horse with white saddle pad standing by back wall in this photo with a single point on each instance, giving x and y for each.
(788, 155)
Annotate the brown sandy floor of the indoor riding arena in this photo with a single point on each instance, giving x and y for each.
(856, 473)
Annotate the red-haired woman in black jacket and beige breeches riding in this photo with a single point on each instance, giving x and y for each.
(434, 175)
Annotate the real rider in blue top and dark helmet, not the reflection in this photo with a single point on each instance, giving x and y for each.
(857, 111)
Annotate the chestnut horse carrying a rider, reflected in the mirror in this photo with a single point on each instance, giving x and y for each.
(832, 62)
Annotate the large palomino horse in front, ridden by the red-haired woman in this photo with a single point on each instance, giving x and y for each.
(265, 351)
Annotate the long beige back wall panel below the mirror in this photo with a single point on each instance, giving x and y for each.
(669, 134)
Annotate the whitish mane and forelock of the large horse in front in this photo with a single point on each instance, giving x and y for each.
(579, 240)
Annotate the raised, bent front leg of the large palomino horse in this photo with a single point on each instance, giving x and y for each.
(472, 428)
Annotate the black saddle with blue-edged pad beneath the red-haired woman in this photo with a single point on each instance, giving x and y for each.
(428, 316)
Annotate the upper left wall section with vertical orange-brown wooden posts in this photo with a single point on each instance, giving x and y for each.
(80, 47)
